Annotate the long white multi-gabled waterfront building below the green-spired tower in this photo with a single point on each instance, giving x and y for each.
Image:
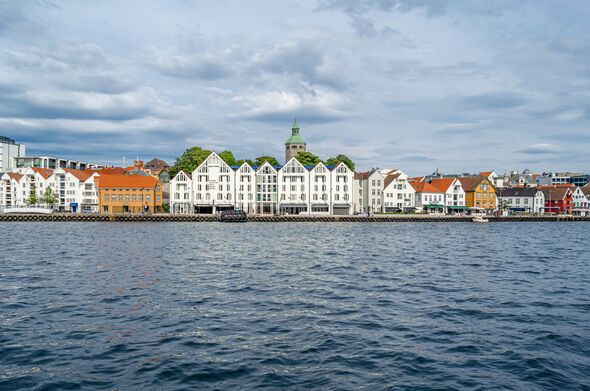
(290, 189)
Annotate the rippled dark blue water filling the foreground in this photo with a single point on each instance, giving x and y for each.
(300, 306)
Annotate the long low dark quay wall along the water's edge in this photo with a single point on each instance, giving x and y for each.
(65, 217)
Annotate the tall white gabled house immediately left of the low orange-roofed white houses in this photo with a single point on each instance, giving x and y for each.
(398, 194)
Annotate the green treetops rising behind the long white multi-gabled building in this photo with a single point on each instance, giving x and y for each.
(193, 157)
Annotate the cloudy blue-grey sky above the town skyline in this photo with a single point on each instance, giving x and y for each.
(461, 86)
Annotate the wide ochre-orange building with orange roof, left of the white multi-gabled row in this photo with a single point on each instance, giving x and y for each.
(129, 194)
